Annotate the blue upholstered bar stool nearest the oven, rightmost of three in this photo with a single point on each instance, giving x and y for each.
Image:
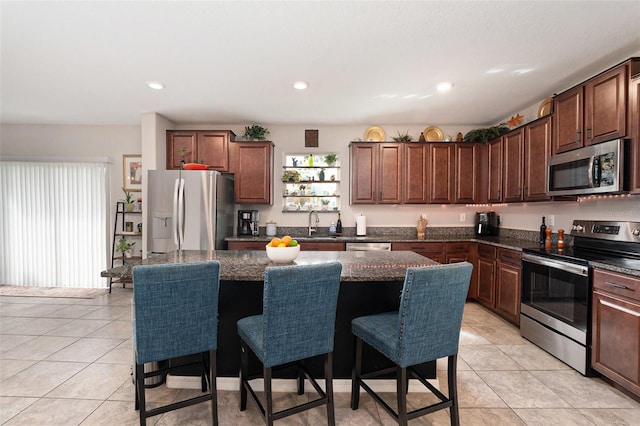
(426, 327)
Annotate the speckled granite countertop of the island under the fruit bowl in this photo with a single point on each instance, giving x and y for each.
(250, 265)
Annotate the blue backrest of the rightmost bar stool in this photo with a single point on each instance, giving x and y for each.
(430, 314)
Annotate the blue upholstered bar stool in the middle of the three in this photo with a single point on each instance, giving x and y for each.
(297, 322)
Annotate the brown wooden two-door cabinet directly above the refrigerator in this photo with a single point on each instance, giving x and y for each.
(210, 147)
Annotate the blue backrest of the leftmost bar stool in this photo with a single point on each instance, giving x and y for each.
(176, 309)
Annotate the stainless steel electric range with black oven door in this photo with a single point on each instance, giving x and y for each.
(555, 312)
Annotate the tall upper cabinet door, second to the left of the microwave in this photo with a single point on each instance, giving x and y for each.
(513, 146)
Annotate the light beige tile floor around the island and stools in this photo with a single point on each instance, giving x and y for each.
(67, 362)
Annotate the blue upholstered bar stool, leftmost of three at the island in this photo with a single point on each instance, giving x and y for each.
(176, 314)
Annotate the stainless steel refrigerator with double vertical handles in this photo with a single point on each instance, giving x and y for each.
(189, 210)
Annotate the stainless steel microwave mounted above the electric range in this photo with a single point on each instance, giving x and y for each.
(595, 169)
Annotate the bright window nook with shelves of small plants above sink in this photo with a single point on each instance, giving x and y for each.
(311, 182)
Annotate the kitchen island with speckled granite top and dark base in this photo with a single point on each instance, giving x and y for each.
(371, 282)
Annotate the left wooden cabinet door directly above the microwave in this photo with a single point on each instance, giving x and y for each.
(568, 116)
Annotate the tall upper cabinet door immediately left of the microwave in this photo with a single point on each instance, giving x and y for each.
(537, 148)
